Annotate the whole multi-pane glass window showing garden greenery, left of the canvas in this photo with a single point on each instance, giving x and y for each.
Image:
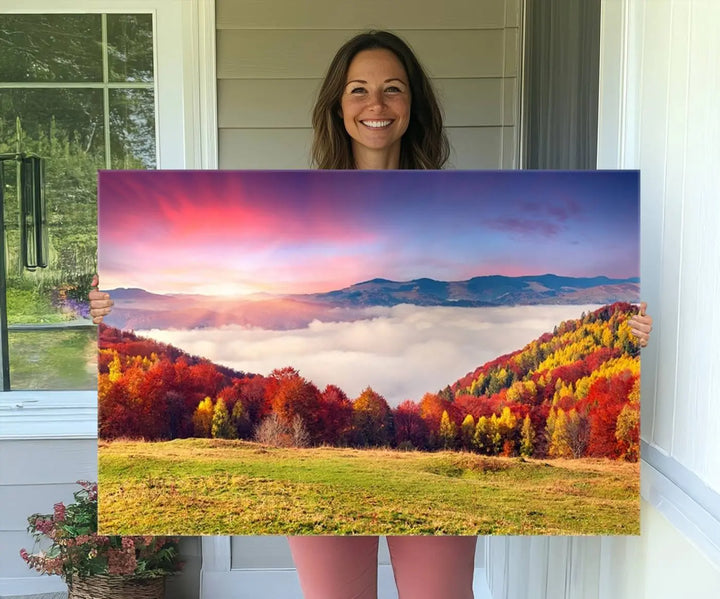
(79, 91)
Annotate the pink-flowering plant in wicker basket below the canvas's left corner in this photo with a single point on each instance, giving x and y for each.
(98, 566)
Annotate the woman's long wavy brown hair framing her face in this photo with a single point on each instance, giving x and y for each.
(424, 145)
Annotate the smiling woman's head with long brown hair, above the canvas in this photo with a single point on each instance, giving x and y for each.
(374, 93)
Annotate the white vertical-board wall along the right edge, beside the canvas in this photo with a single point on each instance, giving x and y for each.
(674, 138)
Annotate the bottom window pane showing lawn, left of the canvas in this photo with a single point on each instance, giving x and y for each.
(53, 359)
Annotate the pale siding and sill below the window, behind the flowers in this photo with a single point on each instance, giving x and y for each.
(46, 444)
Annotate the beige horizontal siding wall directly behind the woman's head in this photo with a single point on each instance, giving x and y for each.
(271, 58)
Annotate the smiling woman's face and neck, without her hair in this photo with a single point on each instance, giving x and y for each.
(375, 102)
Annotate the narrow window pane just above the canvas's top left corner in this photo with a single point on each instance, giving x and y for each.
(132, 128)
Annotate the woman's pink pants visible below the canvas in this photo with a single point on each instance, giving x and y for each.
(346, 567)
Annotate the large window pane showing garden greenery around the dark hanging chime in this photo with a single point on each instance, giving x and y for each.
(66, 128)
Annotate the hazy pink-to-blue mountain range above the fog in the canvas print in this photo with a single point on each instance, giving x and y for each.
(137, 309)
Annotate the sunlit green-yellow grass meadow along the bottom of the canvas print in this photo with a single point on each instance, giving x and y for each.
(203, 486)
